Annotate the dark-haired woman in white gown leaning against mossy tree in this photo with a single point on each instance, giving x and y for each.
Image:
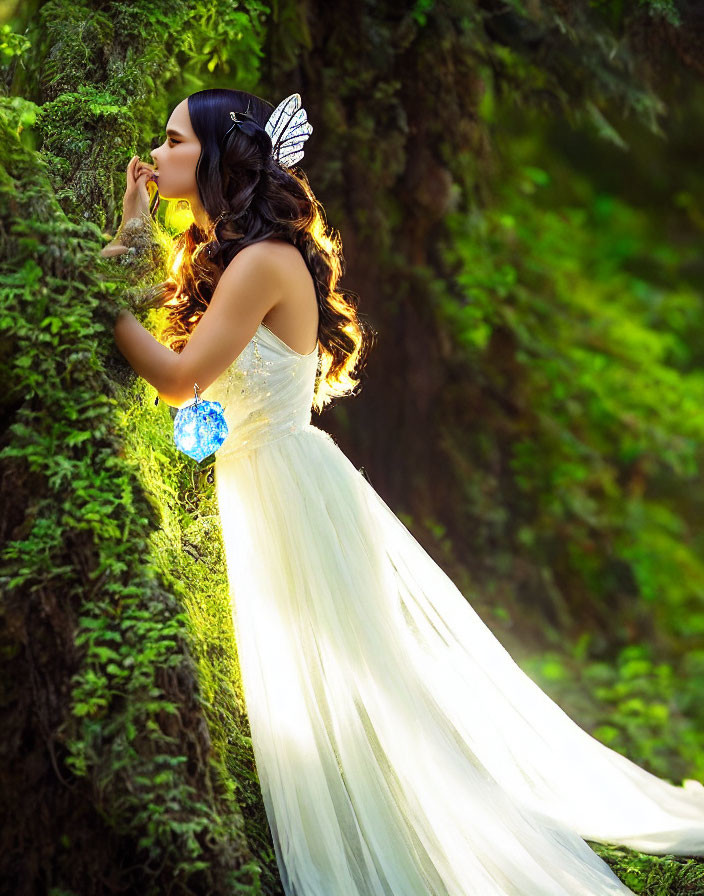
(400, 750)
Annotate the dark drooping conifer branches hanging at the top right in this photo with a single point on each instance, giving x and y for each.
(570, 58)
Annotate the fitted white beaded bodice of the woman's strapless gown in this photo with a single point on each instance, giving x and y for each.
(266, 393)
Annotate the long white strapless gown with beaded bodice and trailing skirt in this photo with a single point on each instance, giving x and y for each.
(399, 748)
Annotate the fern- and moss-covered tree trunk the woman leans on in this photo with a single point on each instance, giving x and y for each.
(120, 770)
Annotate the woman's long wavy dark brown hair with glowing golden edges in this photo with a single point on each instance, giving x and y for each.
(249, 197)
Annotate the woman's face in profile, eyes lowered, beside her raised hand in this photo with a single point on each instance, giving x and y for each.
(176, 158)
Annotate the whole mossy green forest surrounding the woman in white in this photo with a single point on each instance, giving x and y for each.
(518, 186)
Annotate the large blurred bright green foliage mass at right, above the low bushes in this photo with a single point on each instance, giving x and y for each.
(603, 385)
